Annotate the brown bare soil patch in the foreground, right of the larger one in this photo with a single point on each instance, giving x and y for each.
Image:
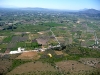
(73, 66)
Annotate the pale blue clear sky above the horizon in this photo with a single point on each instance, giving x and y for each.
(52, 4)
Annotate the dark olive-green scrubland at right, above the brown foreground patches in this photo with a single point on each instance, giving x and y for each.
(75, 53)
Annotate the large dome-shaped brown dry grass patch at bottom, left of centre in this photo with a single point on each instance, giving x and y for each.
(32, 67)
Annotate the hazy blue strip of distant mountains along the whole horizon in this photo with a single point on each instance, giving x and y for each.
(85, 10)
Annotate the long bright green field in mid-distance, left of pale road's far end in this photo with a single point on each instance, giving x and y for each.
(35, 28)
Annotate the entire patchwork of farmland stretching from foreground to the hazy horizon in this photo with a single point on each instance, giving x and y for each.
(70, 42)
